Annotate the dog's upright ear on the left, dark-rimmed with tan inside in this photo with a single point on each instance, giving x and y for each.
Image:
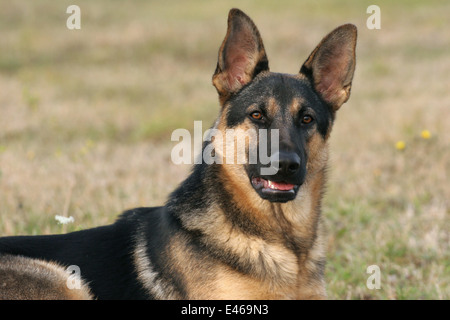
(241, 55)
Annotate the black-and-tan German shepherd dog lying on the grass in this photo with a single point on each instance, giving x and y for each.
(228, 231)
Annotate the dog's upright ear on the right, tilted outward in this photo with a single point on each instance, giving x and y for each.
(332, 64)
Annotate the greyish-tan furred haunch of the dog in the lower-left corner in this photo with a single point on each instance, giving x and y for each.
(31, 279)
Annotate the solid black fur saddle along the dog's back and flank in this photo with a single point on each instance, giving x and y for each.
(103, 254)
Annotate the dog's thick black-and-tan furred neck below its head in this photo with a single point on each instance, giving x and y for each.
(218, 214)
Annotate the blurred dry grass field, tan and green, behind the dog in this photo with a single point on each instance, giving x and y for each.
(86, 118)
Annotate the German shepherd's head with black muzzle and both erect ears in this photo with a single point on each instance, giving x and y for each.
(294, 113)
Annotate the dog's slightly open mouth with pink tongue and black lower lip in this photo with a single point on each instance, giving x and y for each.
(274, 191)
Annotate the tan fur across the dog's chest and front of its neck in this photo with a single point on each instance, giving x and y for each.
(278, 272)
